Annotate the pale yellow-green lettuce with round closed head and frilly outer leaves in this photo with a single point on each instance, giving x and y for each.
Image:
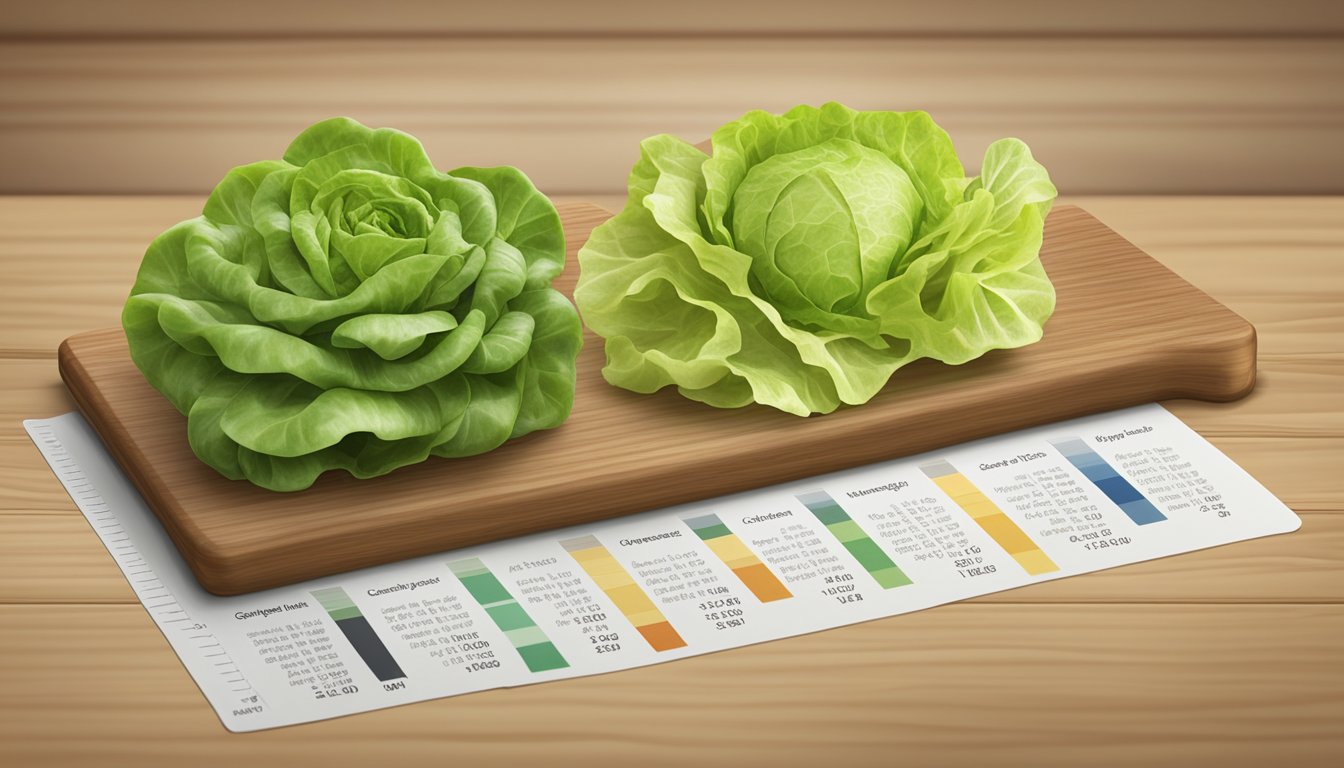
(812, 255)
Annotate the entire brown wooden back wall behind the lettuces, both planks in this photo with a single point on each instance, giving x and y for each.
(1135, 98)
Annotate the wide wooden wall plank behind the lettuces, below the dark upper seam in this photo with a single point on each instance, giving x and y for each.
(1105, 115)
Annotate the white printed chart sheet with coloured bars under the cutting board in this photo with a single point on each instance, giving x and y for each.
(872, 543)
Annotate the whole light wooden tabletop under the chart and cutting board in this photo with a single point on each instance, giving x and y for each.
(1228, 657)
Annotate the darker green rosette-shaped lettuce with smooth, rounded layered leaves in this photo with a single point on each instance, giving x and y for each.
(351, 307)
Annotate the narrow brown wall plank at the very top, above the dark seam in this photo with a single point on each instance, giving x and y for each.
(532, 18)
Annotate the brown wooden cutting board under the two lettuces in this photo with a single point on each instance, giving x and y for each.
(1127, 332)
